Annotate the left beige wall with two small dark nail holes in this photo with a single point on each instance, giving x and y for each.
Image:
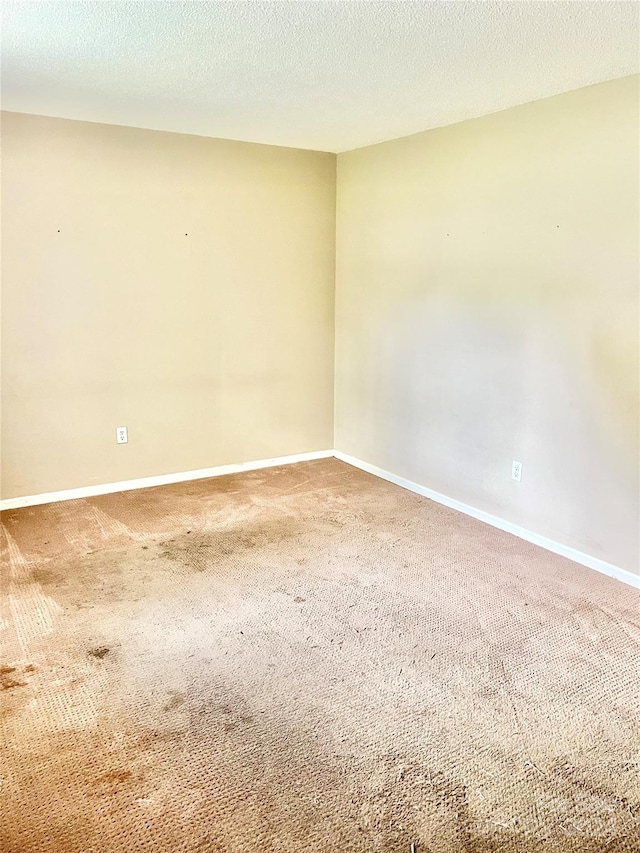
(177, 285)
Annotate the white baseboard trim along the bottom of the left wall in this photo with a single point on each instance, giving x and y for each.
(159, 480)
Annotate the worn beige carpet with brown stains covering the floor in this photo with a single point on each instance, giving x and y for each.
(309, 659)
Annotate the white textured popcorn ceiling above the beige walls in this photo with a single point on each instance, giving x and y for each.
(325, 75)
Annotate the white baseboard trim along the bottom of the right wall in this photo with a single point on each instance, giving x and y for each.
(542, 541)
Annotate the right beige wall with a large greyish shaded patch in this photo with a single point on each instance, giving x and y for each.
(487, 310)
